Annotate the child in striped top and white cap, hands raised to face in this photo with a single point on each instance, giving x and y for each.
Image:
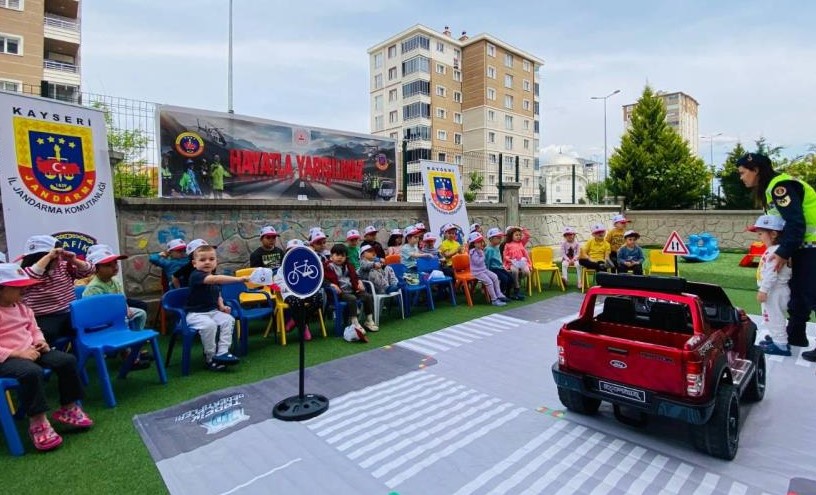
(44, 259)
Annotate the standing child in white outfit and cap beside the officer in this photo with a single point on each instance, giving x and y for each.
(773, 292)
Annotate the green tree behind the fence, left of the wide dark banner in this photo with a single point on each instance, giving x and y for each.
(130, 176)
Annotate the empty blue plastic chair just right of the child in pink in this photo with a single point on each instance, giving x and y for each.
(101, 328)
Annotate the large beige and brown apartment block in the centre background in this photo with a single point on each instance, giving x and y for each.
(466, 100)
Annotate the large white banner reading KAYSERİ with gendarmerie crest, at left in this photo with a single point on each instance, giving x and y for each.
(55, 175)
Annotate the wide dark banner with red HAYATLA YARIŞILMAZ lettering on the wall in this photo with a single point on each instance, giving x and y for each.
(219, 155)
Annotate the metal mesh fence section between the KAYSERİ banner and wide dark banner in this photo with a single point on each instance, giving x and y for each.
(132, 137)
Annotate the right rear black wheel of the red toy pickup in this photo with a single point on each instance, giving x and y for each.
(720, 436)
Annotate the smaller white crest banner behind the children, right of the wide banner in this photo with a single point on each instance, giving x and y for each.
(444, 197)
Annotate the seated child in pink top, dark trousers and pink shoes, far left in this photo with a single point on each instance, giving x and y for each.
(24, 353)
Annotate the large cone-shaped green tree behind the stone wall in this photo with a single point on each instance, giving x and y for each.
(654, 168)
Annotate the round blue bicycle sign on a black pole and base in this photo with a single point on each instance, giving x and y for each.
(303, 275)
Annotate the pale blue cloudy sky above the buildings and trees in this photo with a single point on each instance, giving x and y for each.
(749, 64)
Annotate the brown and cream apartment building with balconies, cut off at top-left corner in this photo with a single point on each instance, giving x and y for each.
(40, 47)
